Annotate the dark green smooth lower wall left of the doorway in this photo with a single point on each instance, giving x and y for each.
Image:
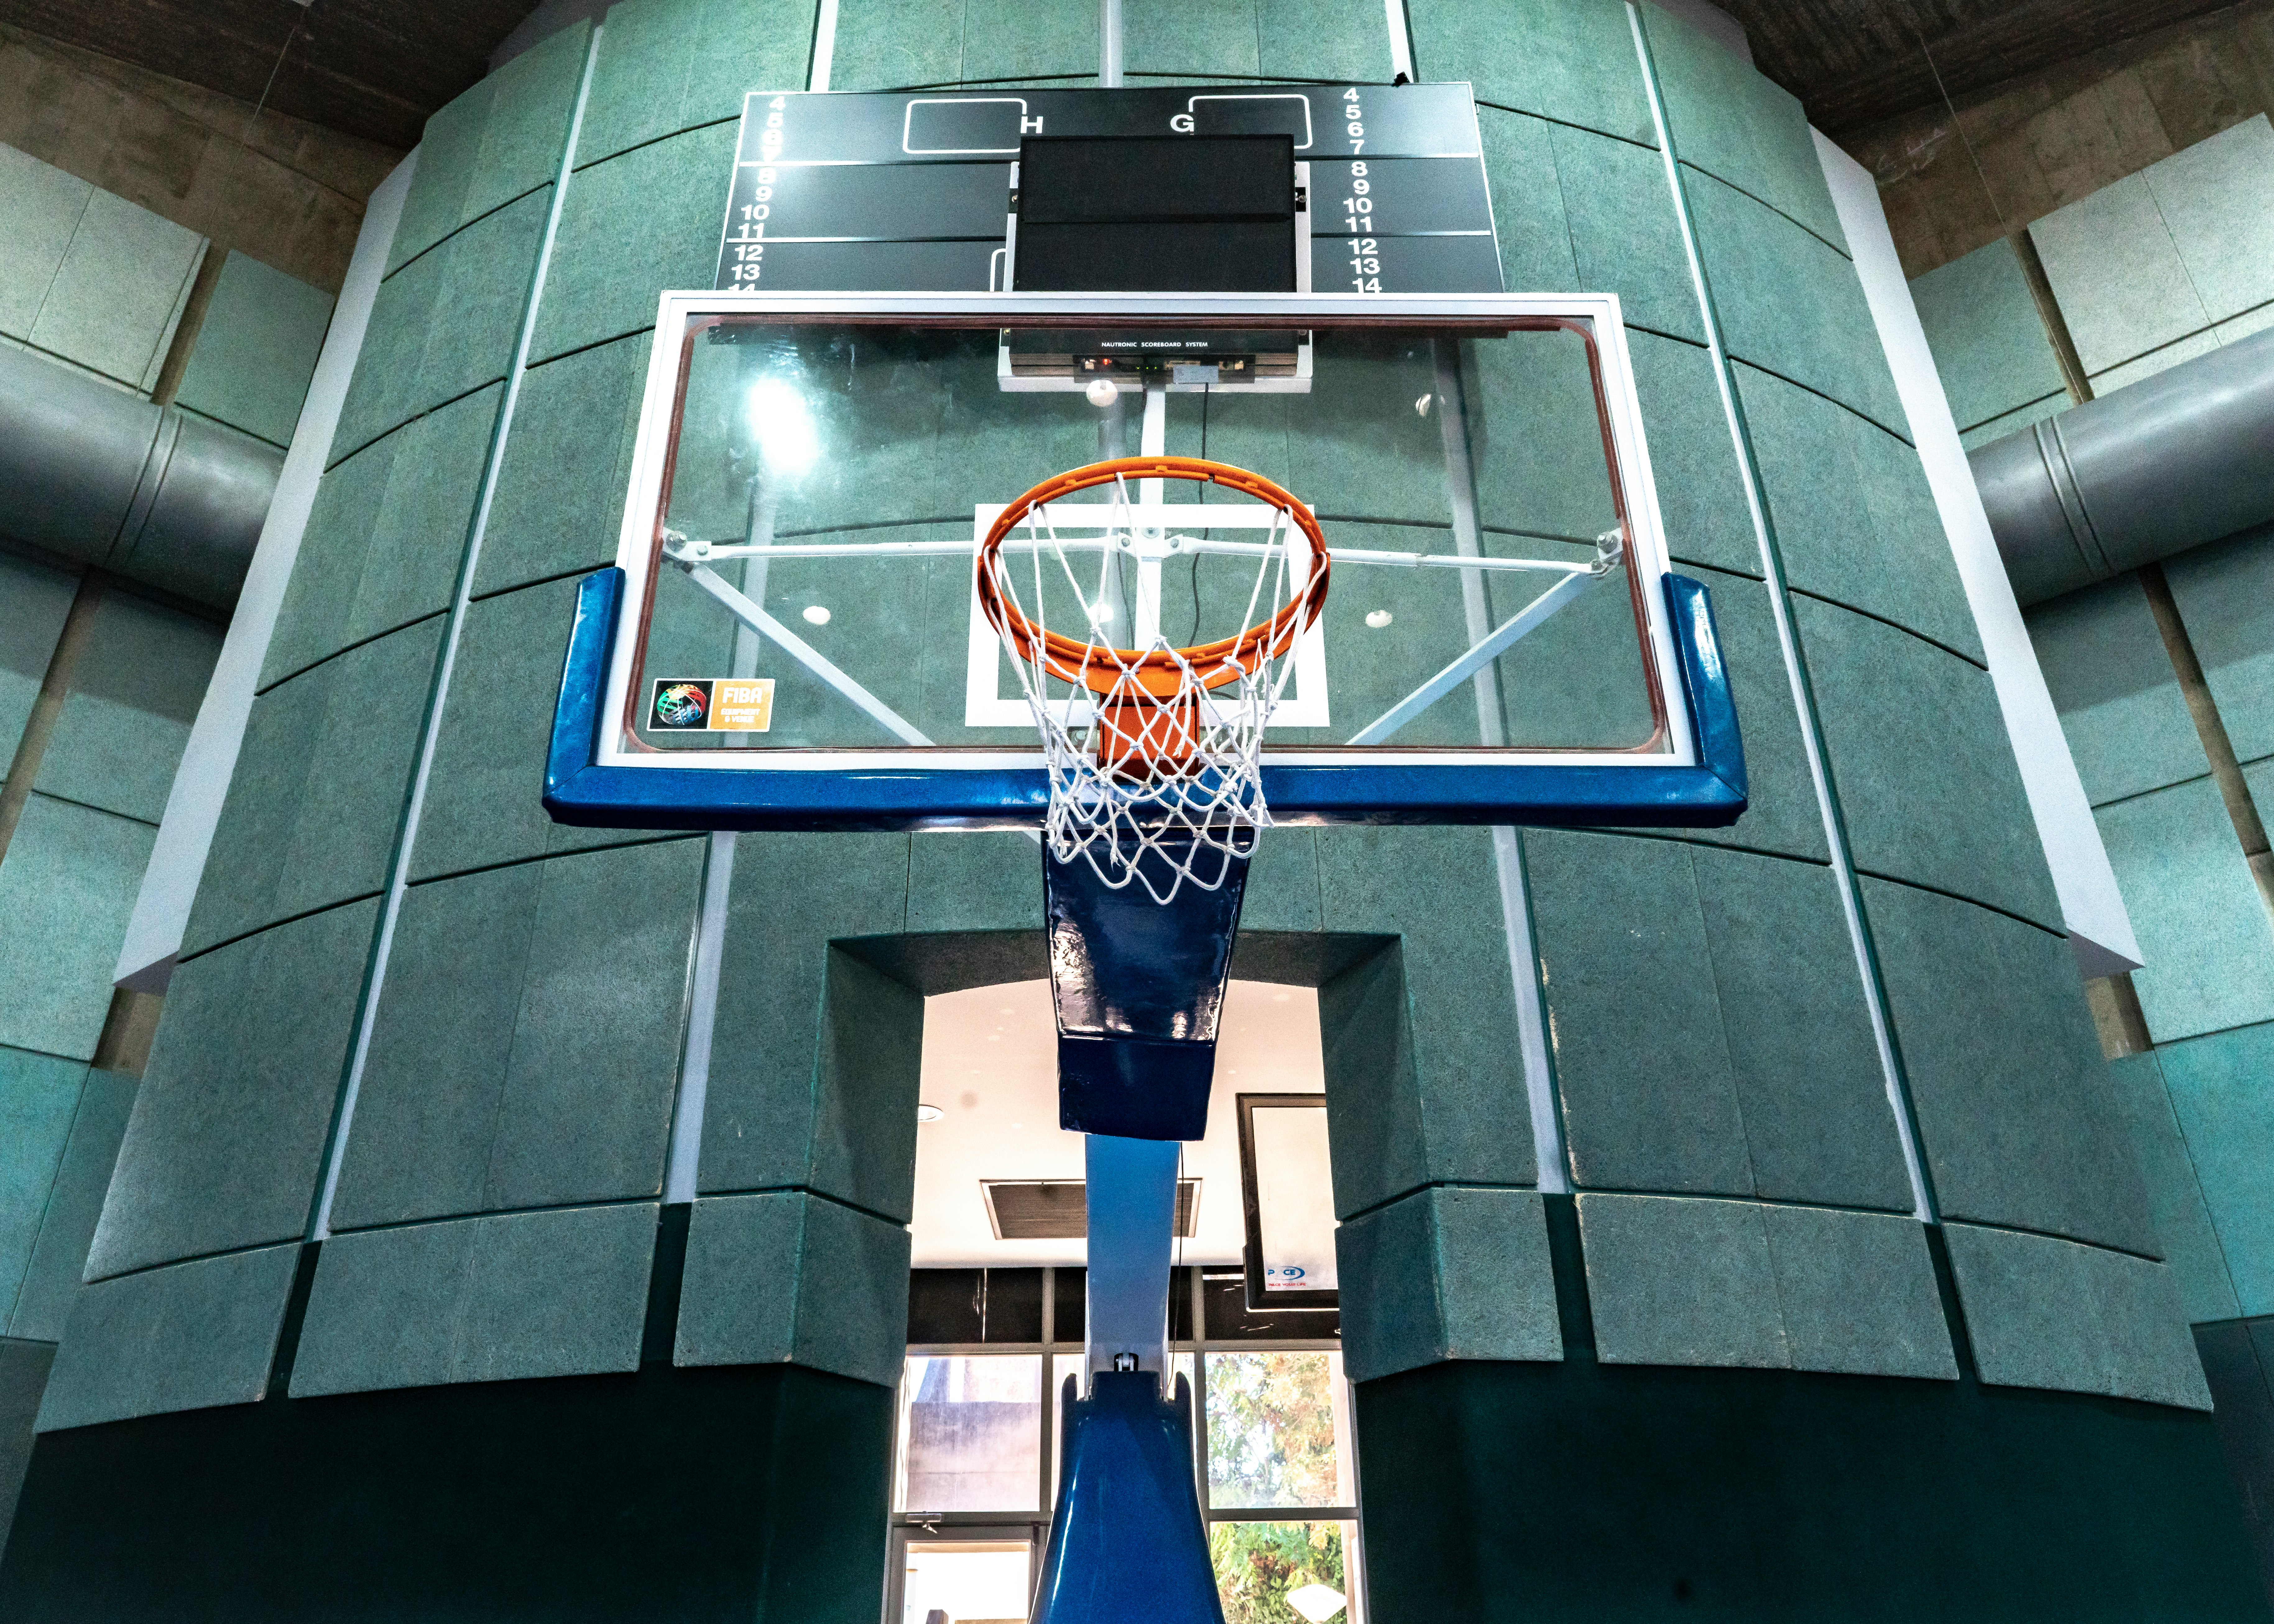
(688, 1495)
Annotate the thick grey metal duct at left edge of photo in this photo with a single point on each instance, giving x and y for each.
(110, 479)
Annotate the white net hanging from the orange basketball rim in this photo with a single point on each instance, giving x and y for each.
(1163, 790)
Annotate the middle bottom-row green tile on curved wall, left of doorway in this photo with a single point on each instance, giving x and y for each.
(508, 1298)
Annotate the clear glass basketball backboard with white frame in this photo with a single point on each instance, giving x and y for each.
(811, 488)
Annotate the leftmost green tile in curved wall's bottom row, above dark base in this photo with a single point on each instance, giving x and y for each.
(163, 1341)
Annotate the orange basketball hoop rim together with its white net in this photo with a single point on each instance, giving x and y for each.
(1154, 752)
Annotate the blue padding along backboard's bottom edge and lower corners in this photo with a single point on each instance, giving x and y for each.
(583, 793)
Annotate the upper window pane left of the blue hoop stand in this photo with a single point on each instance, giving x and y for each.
(972, 1432)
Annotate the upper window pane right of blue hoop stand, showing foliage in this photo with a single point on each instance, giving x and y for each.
(1272, 1432)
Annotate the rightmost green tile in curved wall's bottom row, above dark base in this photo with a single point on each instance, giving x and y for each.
(2050, 1314)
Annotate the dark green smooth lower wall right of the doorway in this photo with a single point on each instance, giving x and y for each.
(1577, 1491)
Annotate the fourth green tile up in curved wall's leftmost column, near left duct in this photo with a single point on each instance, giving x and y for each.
(388, 536)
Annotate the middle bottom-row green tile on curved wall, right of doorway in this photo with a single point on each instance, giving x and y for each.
(1684, 1282)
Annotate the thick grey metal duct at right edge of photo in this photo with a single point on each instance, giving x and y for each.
(2155, 470)
